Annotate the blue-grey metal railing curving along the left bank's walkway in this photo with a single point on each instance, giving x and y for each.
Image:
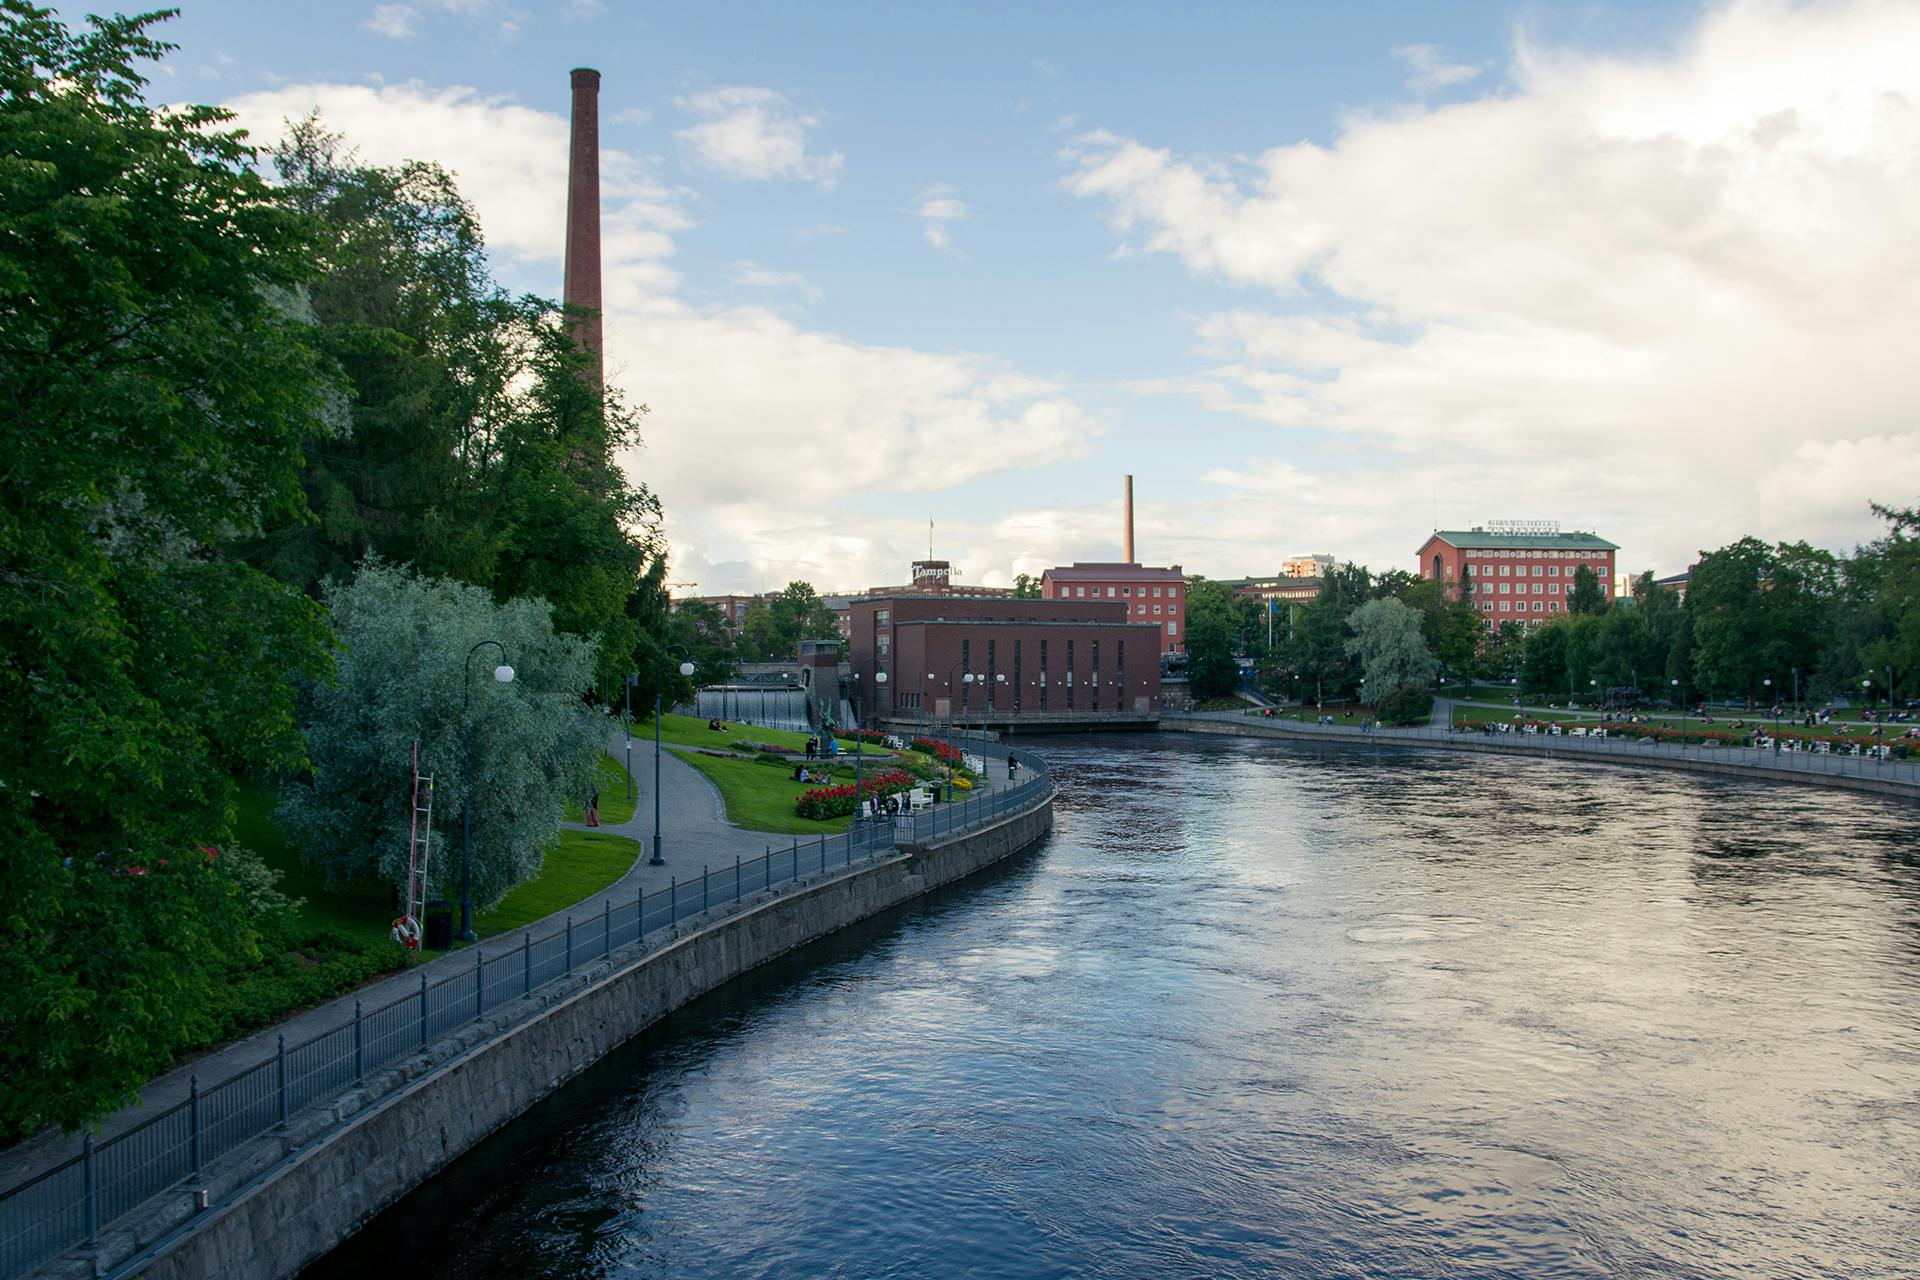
(70, 1204)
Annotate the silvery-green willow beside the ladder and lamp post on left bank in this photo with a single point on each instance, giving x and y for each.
(402, 676)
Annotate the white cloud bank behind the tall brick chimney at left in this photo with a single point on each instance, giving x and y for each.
(756, 423)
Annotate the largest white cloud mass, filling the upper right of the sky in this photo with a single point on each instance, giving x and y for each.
(1671, 296)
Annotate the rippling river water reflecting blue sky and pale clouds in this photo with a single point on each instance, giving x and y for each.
(1272, 1010)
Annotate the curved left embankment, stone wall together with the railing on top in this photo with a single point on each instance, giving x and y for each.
(640, 947)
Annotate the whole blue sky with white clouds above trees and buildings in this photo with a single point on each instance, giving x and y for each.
(1320, 277)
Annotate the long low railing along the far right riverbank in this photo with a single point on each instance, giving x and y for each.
(1623, 747)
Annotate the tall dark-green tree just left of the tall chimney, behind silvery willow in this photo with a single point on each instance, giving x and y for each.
(481, 448)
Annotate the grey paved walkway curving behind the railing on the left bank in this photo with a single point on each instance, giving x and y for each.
(694, 834)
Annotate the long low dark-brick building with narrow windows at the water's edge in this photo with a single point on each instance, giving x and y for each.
(1028, 657)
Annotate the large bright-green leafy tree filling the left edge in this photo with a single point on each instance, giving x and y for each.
(158, 383)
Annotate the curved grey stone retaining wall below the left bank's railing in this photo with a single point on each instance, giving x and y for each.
(281, 1204)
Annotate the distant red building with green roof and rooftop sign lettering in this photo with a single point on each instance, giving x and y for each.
(1520, 571)
